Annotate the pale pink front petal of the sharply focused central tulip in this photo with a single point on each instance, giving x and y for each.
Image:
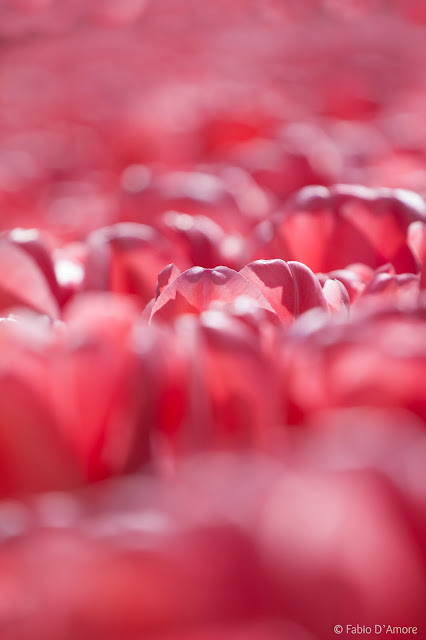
(195, 289)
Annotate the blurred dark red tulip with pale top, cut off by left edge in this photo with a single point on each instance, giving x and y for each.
(34, 454)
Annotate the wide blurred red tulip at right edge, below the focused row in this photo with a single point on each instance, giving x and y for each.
(374, 360)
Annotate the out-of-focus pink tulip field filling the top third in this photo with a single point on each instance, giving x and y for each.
(98, 100)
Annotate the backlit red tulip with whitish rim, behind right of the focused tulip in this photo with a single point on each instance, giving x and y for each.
(329, 229)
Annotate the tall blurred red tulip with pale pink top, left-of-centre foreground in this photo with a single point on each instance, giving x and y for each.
(96, 380)
